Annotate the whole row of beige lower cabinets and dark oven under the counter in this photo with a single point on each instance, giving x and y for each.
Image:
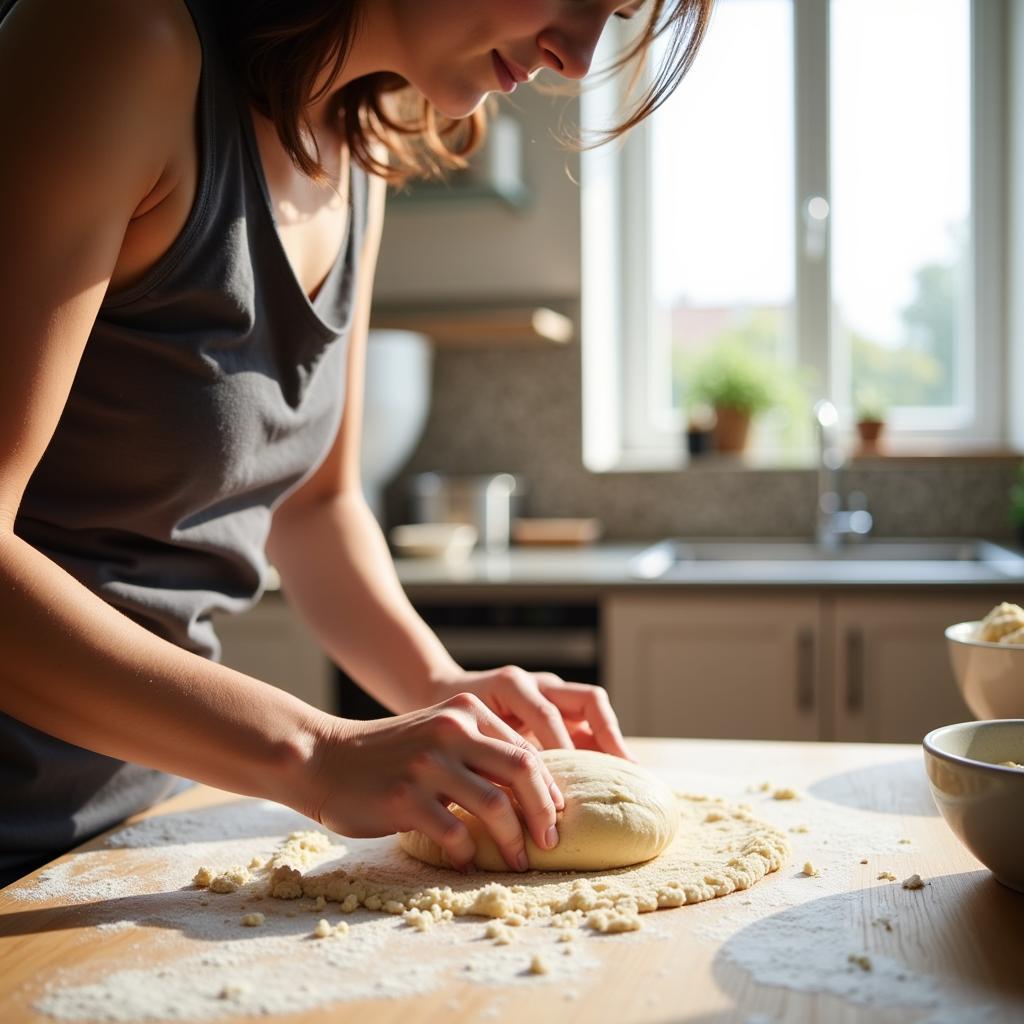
(746, 664)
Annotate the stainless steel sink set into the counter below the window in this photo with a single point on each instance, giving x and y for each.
(677, 559)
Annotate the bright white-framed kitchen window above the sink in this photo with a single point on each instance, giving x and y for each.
(826, 190)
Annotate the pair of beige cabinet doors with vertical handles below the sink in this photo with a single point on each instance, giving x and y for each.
(813, 665)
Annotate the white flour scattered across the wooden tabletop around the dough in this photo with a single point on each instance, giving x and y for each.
(784, 933)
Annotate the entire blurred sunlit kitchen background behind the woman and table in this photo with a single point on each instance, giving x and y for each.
(784, 310)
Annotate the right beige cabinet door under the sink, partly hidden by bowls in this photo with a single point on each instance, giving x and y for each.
(893, 678)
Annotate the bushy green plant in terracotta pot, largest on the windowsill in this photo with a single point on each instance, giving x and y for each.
(738, 386)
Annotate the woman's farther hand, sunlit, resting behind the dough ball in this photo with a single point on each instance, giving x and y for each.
(545, 709)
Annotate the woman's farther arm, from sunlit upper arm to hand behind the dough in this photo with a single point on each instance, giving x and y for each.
(336, 570)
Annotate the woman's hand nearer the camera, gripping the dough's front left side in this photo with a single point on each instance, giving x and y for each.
(397, 775)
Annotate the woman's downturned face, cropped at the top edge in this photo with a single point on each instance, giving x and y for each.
(457, 52)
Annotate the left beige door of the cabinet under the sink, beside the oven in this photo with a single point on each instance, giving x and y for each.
(716, 666)
